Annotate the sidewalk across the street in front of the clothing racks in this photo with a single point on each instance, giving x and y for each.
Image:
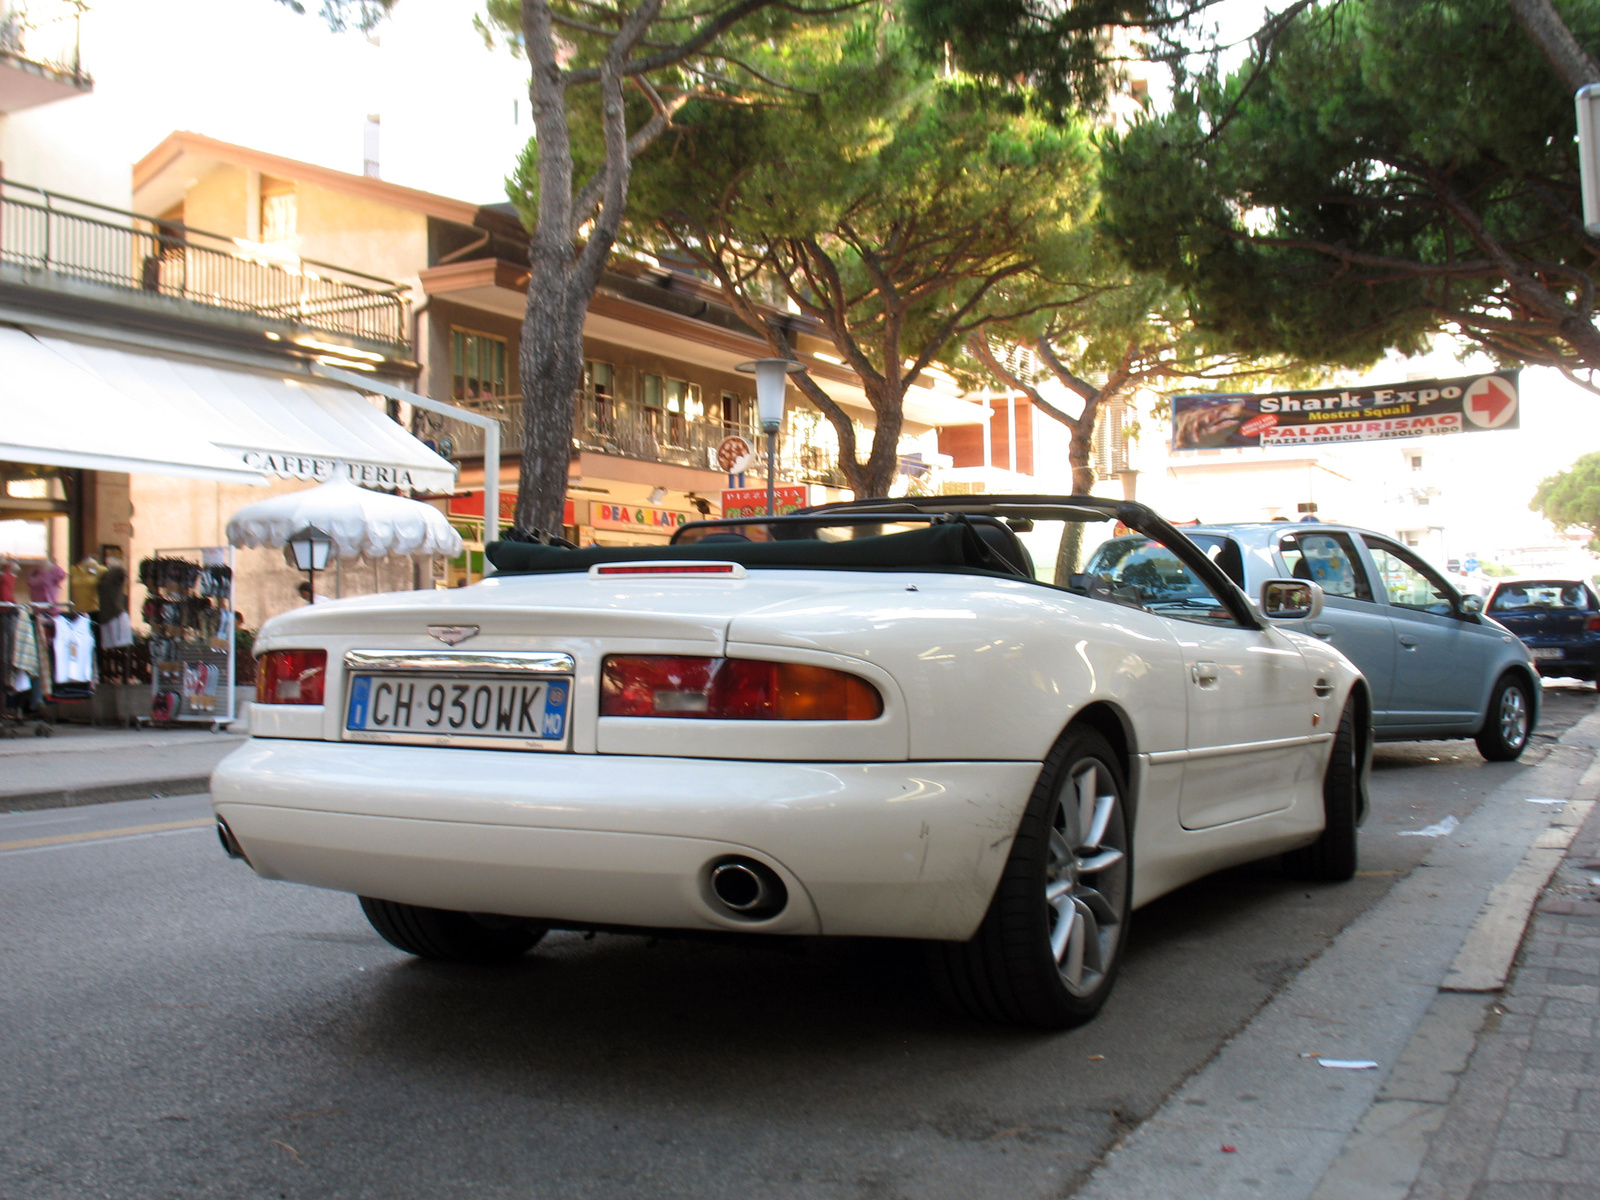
(86, 766)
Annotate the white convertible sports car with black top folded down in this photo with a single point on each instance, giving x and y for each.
(874, 719)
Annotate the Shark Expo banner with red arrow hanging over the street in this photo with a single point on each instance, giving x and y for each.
(1417, 409)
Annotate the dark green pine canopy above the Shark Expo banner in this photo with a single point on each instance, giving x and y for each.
(1390, 170)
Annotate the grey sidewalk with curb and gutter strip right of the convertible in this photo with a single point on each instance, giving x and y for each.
(1414, 1060)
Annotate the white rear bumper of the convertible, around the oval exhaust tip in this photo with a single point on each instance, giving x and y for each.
(908, 850)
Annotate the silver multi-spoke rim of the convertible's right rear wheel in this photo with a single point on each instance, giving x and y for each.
(1087, 876)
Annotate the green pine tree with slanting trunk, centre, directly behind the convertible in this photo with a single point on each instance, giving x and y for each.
(879, 196)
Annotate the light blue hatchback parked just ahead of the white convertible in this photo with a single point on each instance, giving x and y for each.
(1436, 663)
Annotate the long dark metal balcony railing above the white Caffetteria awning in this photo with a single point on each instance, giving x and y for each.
(95, 244)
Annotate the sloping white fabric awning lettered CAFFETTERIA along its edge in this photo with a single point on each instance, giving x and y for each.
(116, 409)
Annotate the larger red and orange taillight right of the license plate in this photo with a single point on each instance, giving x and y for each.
(734, 689)
